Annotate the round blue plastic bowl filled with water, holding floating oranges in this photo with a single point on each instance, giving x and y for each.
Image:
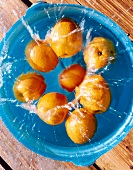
(52, 141)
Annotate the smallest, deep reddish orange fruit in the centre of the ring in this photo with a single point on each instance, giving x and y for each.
(71, 77)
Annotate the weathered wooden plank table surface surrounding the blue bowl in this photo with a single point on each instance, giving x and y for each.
(15, 154)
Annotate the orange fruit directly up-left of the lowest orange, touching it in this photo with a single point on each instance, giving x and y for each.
(51, 108)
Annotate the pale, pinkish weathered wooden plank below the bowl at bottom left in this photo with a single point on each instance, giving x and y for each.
(19, 157)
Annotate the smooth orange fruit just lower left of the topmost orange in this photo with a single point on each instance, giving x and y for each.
(40, 56)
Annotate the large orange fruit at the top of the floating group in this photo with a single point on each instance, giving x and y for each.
(65, 38)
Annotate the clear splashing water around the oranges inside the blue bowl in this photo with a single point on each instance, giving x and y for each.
(118, 75)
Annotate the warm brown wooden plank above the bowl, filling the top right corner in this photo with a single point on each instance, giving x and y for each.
(119, 11)
